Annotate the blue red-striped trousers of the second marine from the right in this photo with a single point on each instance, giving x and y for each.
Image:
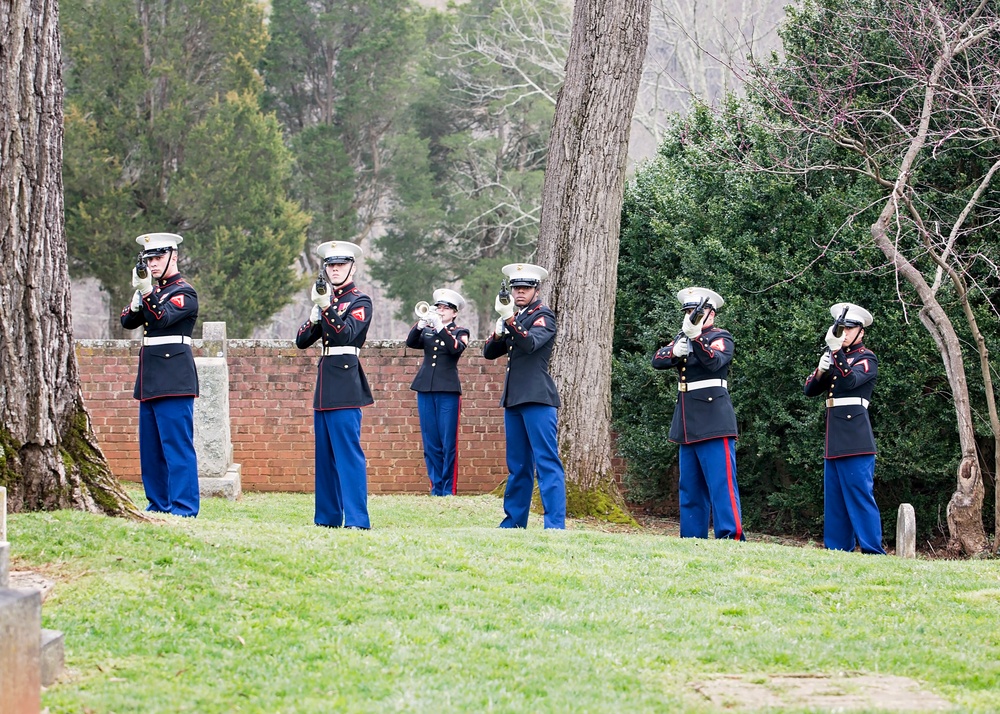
(708, 487)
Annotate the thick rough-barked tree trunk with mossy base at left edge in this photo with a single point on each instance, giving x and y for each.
(49, 457)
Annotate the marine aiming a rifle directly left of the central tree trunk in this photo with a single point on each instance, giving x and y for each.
(525, 332)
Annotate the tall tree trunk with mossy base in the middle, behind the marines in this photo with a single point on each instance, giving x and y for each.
(579, 232)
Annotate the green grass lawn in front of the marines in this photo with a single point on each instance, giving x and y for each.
(250, 607)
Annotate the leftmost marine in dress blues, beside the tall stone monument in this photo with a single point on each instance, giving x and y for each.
(166, 307)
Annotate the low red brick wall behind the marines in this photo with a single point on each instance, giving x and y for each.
(270, 403)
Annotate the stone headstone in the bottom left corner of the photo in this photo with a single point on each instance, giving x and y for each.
(20, 651)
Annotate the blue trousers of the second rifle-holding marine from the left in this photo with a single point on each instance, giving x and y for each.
(341, 470)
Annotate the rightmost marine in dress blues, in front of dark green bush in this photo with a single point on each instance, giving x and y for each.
(846, 377)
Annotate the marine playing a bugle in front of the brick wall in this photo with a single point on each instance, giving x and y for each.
(438, 388)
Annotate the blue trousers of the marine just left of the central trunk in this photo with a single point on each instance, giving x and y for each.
(531, 446)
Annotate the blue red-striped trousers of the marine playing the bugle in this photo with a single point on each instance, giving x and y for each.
(439, 429)
